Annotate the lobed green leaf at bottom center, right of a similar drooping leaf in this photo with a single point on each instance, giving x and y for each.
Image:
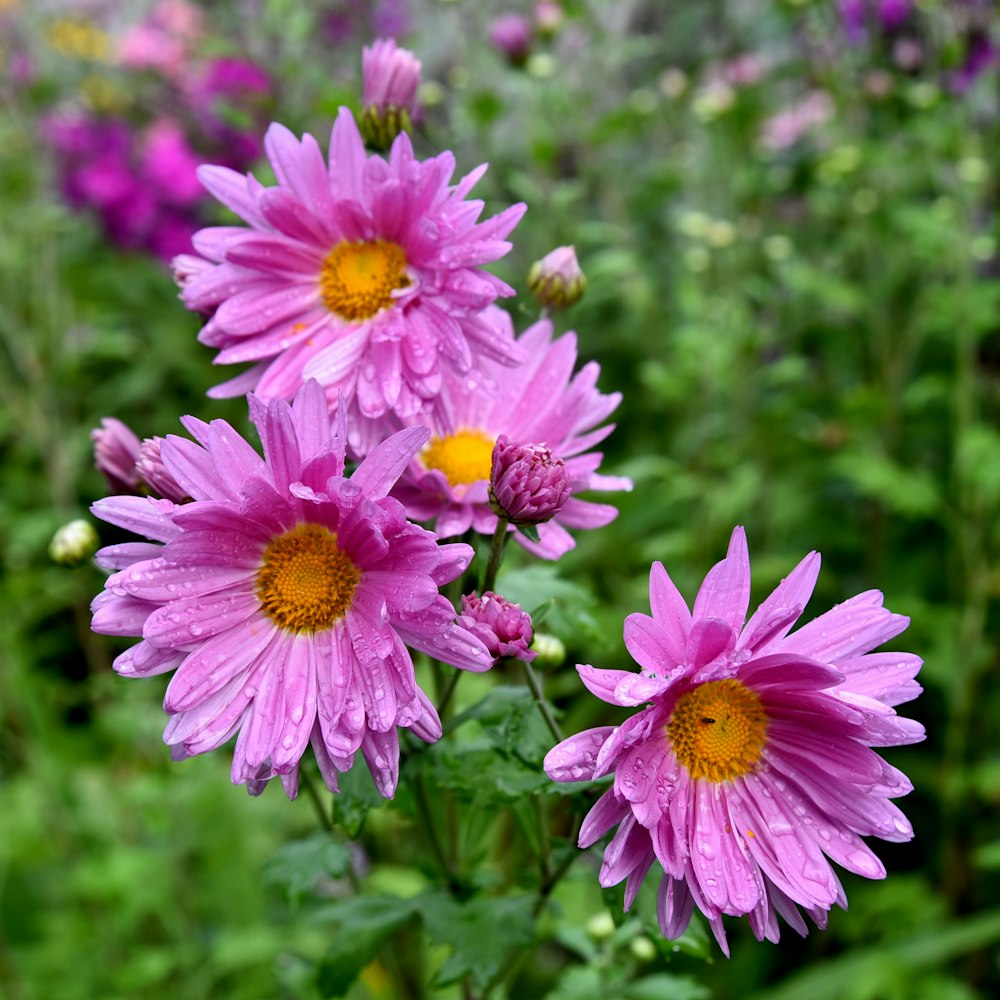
(483, 934)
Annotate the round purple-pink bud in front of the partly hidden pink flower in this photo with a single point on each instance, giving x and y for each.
(528, 485)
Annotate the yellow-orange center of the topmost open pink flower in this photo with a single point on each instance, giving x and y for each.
(357, 279)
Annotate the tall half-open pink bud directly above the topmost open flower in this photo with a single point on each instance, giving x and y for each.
(391, 76)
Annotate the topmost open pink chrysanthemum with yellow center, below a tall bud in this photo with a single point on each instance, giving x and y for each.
(363, 273)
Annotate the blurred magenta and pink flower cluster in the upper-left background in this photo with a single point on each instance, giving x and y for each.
(136, 166)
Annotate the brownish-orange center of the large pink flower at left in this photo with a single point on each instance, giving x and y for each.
(306, 582)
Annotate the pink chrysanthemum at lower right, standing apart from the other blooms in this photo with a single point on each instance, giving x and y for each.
(750, 765)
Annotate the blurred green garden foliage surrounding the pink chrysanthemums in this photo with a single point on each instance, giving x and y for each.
(786, 218)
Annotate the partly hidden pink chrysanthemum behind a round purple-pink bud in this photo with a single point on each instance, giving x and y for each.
(541, 402)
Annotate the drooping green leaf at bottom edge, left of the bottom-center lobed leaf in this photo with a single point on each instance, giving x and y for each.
(362, 924)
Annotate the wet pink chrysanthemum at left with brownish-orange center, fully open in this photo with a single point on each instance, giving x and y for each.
(284, 596)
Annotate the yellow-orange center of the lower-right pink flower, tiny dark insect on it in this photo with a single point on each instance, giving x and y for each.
(718, 730)
